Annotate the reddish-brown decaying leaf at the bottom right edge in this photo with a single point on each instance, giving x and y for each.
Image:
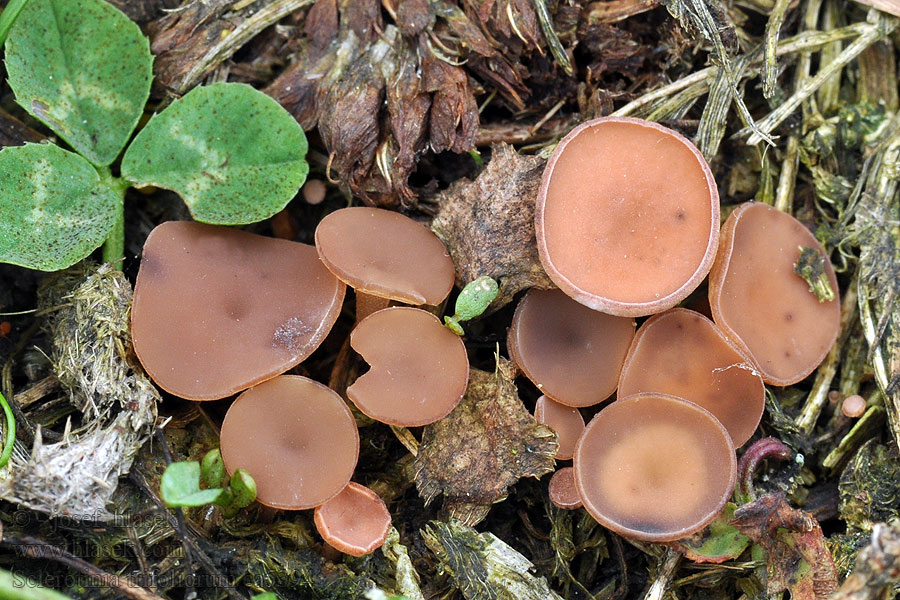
(796, 556)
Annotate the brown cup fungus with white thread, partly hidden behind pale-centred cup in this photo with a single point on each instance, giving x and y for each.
(682, 353)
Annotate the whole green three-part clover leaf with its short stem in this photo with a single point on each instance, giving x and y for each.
(233, 154)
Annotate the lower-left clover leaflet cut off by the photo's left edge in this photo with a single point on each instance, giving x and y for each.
(54, 210)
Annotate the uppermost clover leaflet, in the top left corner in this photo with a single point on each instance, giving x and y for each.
(84, 69)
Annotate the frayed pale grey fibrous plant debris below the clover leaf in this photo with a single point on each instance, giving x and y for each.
(93, 361)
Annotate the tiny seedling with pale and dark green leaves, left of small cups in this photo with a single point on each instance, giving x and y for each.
(180, 485)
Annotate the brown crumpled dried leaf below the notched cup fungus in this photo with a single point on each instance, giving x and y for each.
(492, 440)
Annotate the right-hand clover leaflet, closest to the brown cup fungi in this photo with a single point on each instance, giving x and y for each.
(233, 154)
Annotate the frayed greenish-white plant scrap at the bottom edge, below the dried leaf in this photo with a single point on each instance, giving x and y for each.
(483, 566)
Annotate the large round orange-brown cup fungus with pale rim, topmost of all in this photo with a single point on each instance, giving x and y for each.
(627, 216)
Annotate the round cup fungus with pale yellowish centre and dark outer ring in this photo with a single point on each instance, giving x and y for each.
(654, 467)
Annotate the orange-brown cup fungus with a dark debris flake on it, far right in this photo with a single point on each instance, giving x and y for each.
(761, 303)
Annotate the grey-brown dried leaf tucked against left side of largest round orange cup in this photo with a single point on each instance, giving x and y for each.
(488, 224)
